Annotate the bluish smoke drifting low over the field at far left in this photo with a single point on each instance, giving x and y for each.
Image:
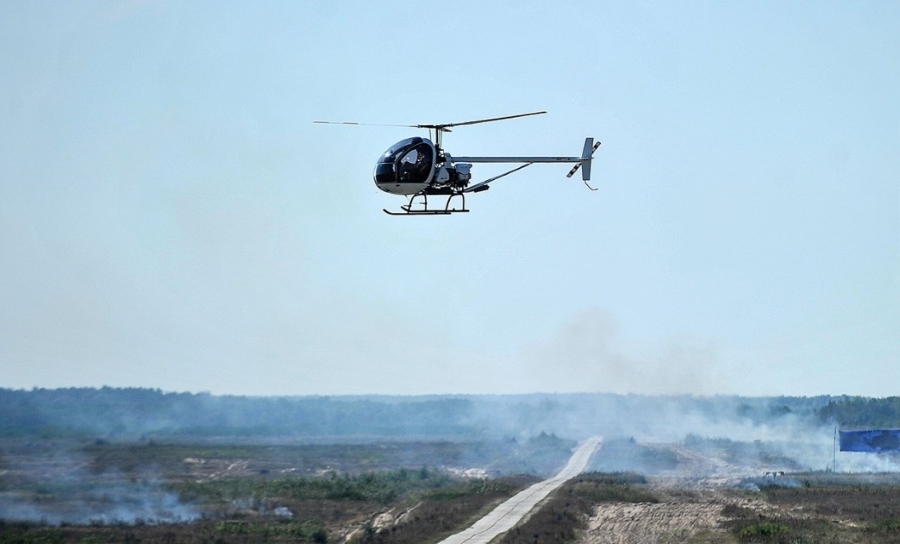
(58, 486)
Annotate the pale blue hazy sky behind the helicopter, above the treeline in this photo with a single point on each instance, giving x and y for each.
(171, 217)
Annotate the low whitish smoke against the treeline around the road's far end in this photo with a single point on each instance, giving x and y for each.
(727, 437)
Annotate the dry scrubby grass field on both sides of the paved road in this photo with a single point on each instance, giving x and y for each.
(405, 492)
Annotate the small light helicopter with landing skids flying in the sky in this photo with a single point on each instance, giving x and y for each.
(419, 167)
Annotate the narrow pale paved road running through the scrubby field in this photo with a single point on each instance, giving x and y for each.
(508, 514)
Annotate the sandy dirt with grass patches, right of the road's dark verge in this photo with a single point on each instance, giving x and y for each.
(709, 498)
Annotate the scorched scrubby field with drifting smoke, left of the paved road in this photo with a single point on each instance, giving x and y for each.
(376, 492)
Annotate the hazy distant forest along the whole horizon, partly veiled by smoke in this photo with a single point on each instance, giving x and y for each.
(135, 413)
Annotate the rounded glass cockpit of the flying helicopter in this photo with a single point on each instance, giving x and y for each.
(407, 167)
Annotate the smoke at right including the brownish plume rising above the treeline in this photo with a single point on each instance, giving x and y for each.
(734, 434)
